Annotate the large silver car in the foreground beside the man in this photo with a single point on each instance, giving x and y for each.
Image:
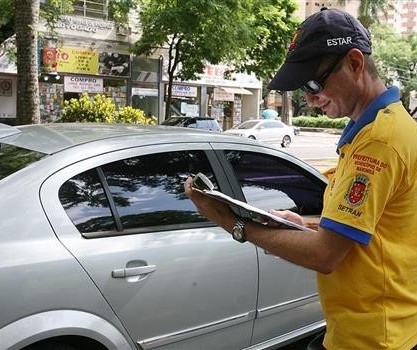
(101, 249)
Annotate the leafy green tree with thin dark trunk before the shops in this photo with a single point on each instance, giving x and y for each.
(194, 32)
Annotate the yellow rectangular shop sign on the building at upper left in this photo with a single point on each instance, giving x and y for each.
(73, 60)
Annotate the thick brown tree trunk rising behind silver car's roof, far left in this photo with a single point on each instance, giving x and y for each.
(27, 99)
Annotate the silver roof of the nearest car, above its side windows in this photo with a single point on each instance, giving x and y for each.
(53, 138)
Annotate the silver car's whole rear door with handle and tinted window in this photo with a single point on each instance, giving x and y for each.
(175, 280)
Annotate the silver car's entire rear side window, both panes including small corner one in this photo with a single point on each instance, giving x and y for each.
(141, 194)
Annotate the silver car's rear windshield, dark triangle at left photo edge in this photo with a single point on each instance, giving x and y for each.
(13, 158)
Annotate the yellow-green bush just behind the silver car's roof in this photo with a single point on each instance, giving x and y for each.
(101, 109)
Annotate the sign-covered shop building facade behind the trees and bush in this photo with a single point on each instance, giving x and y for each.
(90, 54)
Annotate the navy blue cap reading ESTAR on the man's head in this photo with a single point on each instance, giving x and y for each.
(329, 31)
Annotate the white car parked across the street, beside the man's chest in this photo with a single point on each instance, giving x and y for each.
(265, 130)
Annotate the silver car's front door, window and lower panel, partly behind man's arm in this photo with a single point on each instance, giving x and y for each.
(268, 179)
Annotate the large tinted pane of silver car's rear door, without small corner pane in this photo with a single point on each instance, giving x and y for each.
(148, 190)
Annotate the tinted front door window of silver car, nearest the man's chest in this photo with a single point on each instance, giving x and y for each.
(269, 182)
